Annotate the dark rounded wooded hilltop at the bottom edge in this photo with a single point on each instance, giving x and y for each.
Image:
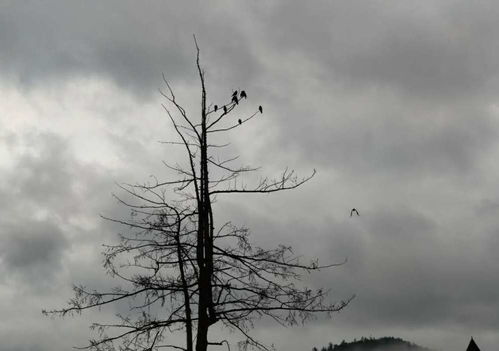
(370, 344)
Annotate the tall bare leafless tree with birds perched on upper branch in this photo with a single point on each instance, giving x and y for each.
(180, 271)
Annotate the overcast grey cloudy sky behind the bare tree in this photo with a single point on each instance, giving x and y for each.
(395, 103)
